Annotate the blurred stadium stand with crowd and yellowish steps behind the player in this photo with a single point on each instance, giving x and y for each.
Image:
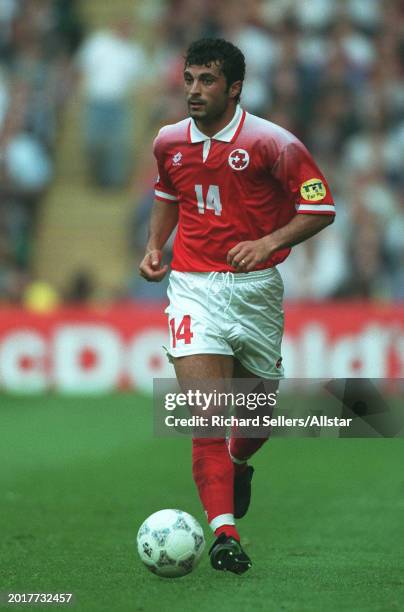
(330, 72)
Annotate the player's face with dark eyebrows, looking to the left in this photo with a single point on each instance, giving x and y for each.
(208, 96)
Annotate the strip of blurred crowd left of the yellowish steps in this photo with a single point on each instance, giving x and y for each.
(37, 41)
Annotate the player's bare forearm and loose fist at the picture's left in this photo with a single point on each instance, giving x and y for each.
(163, 220)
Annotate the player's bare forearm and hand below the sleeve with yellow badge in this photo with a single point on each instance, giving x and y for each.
(254, 252)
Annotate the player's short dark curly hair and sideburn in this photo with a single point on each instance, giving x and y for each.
(206, 51)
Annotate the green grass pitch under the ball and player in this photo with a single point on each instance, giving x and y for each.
(78, 475)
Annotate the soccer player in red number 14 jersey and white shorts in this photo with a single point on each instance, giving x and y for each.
(241, 191)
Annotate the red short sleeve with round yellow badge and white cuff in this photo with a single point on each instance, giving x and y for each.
(301, 178)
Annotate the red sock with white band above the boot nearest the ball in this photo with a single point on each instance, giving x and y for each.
(212, 470)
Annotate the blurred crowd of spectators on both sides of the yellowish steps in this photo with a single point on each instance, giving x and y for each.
(331, 72)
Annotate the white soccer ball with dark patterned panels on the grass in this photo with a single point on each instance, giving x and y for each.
(170, 543)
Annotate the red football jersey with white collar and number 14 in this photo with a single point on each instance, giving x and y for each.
(245, 182)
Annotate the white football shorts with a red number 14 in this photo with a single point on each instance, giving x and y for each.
(228, 314)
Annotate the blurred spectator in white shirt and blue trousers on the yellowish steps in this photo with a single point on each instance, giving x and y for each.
(110, 64)
